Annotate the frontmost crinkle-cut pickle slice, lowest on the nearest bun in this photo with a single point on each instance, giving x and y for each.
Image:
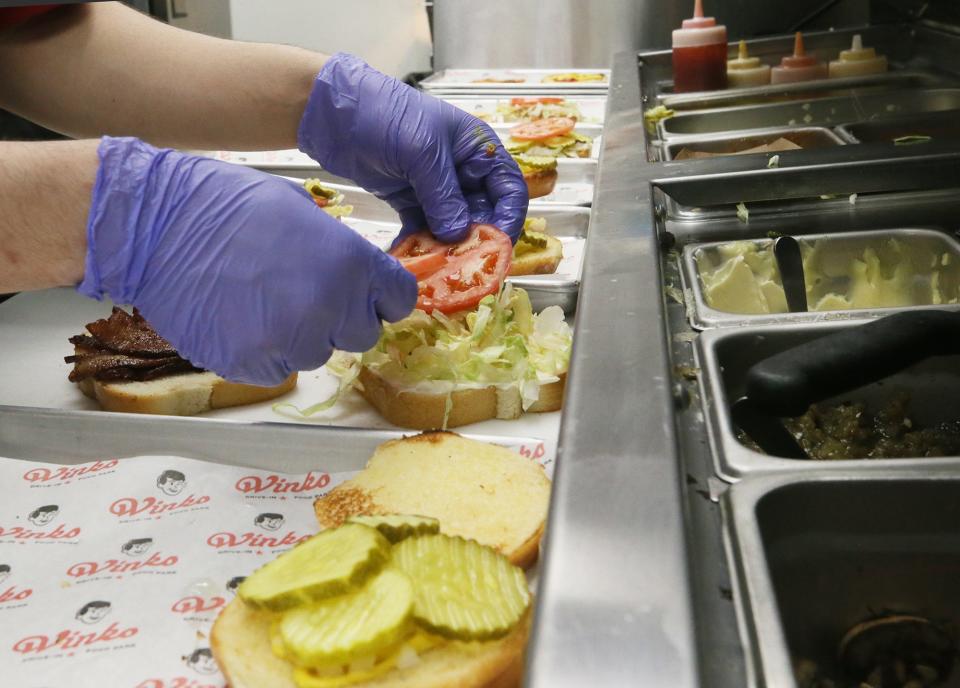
(358, 624)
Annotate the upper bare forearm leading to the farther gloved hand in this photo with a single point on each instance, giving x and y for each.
(102, 68)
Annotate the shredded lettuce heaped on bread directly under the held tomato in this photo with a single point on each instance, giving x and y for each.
(502, 344)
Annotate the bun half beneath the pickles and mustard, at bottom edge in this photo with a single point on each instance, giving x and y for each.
(240, 642)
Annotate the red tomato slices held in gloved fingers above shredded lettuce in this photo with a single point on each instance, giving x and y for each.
(454, 277)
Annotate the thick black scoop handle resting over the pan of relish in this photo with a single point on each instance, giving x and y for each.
(787, 383)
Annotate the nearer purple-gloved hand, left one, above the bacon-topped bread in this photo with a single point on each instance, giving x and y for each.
(237, 269)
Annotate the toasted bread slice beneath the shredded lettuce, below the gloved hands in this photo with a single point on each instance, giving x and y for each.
(422, 411)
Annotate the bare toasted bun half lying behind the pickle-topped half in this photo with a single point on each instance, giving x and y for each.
(476, 490)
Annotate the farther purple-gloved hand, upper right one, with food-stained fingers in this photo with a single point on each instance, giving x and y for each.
(438, 166)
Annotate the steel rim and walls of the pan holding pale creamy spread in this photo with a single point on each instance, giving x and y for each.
(702, 316)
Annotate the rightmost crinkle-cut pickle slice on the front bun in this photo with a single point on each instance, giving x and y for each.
(462, 590)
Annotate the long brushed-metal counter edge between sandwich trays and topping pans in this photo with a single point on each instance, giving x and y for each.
(615, 605)
